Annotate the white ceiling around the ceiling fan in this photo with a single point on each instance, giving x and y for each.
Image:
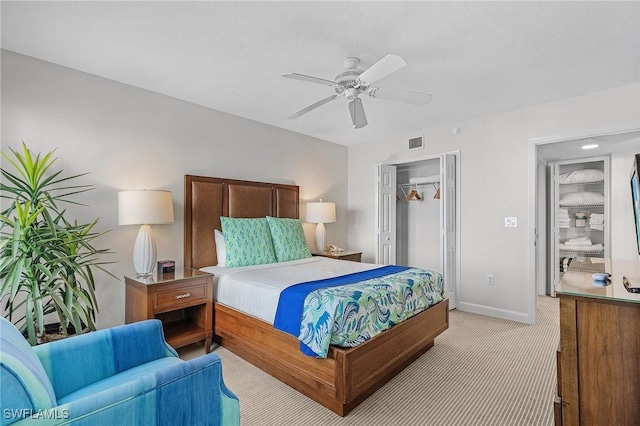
(475, 58)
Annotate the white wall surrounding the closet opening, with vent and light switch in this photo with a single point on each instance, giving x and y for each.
(494, 184)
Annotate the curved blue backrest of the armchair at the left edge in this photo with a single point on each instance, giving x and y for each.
(24, 380)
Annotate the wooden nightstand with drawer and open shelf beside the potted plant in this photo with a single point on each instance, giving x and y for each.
(181, 300)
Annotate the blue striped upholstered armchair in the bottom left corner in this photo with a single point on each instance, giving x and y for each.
(125, 375)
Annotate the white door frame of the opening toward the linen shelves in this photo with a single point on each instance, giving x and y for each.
(531, 293)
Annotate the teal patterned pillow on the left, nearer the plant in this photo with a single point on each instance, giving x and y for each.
(248, 242)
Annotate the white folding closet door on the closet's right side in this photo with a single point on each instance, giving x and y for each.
(448, 225)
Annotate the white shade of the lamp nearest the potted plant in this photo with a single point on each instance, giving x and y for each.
(144, 207)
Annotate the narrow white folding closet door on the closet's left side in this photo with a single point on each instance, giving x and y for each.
(386, 253)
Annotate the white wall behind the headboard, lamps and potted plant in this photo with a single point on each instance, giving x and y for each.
(129, 138)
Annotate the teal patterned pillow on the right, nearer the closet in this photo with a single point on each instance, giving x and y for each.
(288, 239)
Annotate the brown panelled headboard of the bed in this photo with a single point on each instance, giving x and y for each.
(208, 198)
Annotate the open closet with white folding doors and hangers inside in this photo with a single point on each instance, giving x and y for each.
(418, 217)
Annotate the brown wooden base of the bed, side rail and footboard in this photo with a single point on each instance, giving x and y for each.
(348, 375)
